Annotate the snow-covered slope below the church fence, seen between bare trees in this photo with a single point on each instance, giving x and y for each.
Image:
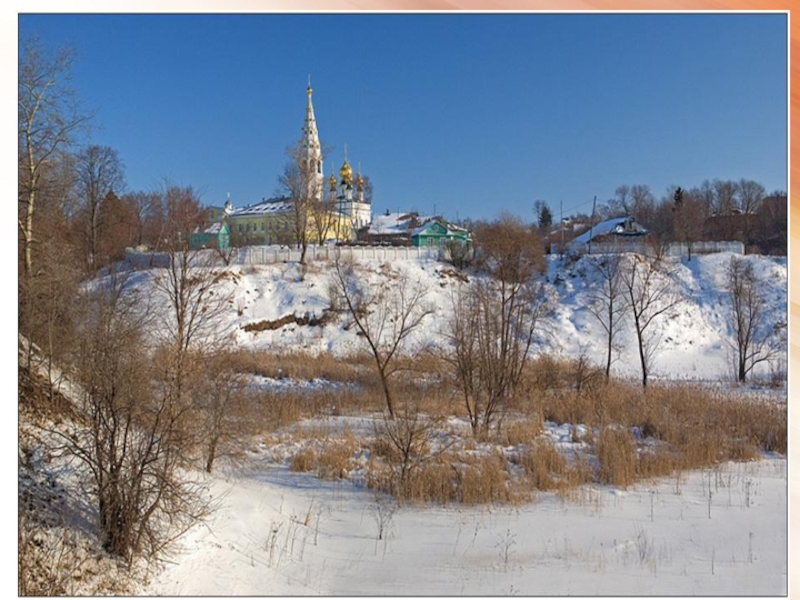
(694, 341)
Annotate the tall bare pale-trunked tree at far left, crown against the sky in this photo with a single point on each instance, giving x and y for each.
(48, 117)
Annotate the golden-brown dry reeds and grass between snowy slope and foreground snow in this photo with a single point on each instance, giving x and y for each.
(633, 433)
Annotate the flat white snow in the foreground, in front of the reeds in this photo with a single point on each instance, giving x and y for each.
(721, 531)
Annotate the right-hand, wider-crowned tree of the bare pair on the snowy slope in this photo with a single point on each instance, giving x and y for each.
(651, 295)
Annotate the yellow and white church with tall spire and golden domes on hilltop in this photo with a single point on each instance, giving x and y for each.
(331, 210)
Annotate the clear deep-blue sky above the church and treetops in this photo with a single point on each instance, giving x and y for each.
(469, 115)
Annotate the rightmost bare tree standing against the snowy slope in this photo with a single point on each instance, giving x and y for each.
(755, 339)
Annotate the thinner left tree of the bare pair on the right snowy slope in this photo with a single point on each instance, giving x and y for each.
(607, 302)
